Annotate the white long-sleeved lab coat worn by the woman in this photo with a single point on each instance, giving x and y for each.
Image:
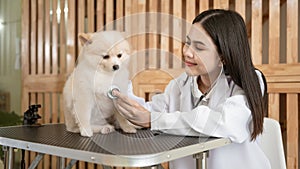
(222, 113)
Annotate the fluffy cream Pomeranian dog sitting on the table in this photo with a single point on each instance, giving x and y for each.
(103, 62)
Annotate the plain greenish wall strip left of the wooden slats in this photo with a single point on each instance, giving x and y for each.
(10, 33)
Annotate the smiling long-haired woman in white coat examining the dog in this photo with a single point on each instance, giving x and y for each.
(220, 94)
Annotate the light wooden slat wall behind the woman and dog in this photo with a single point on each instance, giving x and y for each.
(50, 48)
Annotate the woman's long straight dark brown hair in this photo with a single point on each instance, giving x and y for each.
(228, 32)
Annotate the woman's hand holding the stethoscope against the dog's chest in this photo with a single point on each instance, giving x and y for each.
(132, 110)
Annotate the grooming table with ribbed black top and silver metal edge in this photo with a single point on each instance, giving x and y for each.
(146, 148)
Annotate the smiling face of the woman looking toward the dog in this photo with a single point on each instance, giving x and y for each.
(200, 54)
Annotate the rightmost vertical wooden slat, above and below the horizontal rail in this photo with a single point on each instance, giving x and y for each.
(293, 97)
